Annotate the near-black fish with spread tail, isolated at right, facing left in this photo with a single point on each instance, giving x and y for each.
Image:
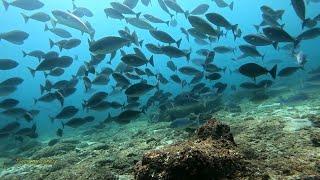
(254, 70)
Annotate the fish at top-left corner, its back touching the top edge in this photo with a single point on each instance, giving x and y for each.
(24, 4)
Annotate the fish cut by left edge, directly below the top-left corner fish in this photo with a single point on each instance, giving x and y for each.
(16, 36)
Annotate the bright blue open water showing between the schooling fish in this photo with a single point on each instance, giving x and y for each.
(245, 13)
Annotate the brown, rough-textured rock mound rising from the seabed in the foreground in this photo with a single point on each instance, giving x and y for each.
(211, 154)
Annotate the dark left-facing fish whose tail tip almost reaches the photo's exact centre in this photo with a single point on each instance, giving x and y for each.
(139, 89)
